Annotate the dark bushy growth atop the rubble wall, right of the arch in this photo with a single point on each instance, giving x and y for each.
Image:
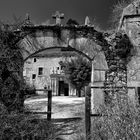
(119, 46)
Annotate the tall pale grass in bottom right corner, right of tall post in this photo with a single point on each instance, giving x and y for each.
(120, 122)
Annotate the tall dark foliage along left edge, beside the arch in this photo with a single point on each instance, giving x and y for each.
(11, 60)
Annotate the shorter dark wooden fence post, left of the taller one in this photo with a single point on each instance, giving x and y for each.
(49, 105)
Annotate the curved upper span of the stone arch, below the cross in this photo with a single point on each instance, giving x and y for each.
(78, 38)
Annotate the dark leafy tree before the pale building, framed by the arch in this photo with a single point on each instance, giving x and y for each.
(78, 72)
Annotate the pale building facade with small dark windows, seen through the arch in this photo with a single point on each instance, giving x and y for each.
(46, 72)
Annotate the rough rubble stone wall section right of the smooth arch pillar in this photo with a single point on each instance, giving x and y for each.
(116, 81)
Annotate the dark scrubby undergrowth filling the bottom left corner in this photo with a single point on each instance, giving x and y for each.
(24, 126)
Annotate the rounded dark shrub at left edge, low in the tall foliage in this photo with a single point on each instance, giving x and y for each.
(10, 94)
